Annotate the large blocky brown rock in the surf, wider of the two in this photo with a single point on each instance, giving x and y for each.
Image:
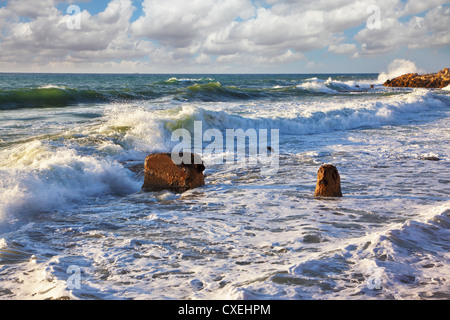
(161, 173)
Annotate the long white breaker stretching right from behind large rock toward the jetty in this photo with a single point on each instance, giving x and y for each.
(318, 117)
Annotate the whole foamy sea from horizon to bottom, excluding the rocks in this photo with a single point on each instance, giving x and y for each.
(75, 224)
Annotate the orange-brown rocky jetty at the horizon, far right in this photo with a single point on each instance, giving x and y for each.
(414, 80)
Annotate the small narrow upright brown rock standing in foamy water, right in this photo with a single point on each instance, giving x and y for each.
(328, 182)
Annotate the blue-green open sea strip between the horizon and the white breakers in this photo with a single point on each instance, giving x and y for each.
(50, 90)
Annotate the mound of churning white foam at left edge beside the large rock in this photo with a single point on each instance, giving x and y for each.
(38, 177)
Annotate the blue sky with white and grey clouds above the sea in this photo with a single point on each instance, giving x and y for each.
(223, 36)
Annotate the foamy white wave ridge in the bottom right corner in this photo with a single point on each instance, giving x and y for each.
(404, 262)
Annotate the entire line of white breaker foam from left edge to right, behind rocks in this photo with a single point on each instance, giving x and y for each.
(35, 175)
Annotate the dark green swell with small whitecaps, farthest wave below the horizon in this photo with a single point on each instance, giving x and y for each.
(183, 89)
